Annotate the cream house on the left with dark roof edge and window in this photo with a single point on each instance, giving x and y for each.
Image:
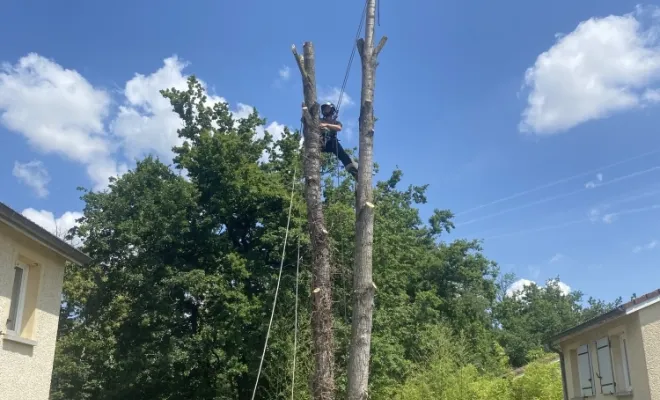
(32, 263)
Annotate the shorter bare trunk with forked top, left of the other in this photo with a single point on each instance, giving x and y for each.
(323, 385)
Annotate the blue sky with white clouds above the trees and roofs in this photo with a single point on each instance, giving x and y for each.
(483, 101)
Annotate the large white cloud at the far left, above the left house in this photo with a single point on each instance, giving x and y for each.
(57, 110)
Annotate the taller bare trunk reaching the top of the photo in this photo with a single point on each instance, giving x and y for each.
(363, 285)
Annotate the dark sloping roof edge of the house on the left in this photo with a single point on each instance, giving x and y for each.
(34, 231)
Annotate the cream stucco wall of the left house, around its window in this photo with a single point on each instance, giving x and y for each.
(25, 370)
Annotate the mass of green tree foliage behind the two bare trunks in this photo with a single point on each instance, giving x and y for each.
(177, 302)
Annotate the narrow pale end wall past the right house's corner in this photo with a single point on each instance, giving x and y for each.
(649, 319)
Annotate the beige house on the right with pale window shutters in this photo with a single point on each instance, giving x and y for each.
(615, 355)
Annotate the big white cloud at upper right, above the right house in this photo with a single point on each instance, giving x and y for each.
(606, 65)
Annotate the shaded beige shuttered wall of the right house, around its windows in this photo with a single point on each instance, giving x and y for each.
(630, 324)
